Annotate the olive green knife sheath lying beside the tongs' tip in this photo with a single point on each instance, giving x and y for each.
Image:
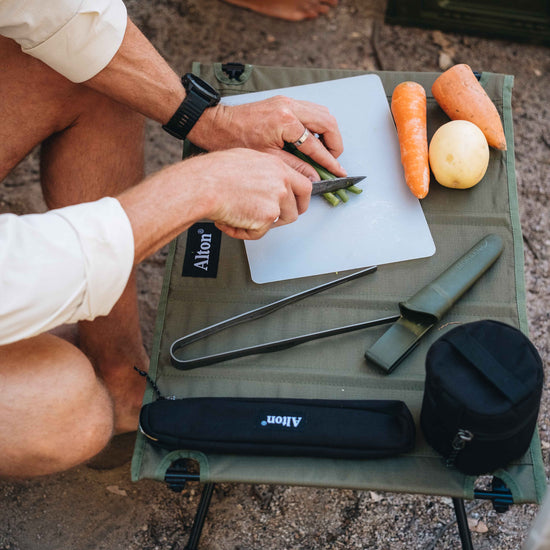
(423, 310)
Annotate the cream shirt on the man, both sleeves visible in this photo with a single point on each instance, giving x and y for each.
(72, 263)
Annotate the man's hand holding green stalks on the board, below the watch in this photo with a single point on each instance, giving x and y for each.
(267, 125)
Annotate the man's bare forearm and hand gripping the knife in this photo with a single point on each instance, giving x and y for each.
(244, 192)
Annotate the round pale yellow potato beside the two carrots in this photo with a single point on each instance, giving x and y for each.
(458, 154)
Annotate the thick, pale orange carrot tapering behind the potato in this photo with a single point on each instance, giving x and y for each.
(462, 97)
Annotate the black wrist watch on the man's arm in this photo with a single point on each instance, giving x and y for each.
(199, 95)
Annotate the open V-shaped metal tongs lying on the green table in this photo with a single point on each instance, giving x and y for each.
(267, 347)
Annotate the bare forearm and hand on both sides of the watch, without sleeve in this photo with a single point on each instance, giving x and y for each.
(139, 77)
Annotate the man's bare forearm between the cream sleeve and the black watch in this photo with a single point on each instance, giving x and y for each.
(139, 77)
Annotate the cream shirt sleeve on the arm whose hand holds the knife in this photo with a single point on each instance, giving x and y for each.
(66, 265)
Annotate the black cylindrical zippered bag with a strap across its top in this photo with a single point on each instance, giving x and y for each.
(482, 396)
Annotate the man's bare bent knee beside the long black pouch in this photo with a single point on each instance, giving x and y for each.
(55, 412)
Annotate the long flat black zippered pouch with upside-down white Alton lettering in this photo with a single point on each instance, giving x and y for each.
(280, 427)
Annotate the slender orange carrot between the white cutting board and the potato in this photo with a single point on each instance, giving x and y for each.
(408, 106)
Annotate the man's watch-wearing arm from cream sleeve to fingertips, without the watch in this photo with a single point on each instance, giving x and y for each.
(94, 43)
